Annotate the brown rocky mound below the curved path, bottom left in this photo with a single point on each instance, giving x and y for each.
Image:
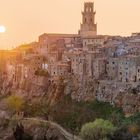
(33, 131)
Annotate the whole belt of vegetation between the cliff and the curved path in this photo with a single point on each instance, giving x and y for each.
(78, 117)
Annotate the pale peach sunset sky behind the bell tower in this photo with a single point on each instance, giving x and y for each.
(25, 20)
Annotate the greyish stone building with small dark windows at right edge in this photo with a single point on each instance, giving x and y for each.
(123, 68)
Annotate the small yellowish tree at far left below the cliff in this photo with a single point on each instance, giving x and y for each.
(15, 103)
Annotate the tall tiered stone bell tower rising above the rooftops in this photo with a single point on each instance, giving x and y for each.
(88, 26)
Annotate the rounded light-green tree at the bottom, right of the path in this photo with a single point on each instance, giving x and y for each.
(97, 130)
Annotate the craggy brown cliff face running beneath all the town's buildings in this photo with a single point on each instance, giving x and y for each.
(125, 95)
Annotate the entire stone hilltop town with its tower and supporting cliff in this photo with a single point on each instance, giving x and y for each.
(85, 65)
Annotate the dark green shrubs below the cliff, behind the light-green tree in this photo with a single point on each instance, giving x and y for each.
(75, 114)
